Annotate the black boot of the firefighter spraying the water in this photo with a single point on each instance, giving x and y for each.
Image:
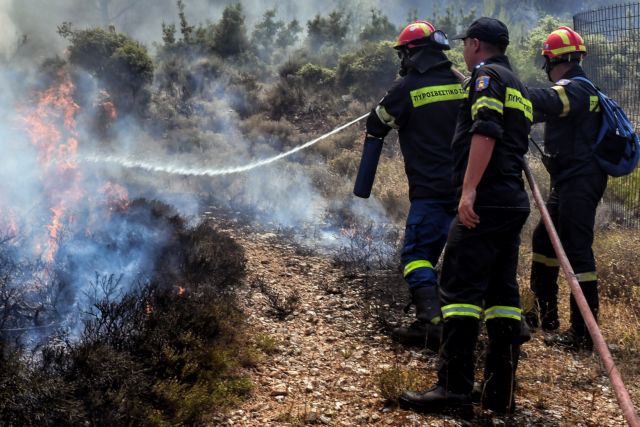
(423, 332)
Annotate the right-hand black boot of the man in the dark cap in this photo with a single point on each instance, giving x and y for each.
(498, 391)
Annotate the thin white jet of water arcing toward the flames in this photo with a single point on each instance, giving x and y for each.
(189, 171)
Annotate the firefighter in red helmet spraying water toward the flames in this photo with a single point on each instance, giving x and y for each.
(422, 106)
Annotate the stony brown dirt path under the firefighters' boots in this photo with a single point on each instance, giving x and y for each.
(329, 360)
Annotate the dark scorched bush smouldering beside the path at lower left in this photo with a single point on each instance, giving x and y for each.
(155, 354)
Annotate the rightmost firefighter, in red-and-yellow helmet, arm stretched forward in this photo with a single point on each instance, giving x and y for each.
(572, 115)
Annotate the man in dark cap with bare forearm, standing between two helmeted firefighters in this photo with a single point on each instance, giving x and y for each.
(478, 278)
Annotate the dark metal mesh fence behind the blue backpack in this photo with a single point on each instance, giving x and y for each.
(612, 37)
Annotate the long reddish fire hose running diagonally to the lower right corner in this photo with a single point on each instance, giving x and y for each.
(622, 395)
